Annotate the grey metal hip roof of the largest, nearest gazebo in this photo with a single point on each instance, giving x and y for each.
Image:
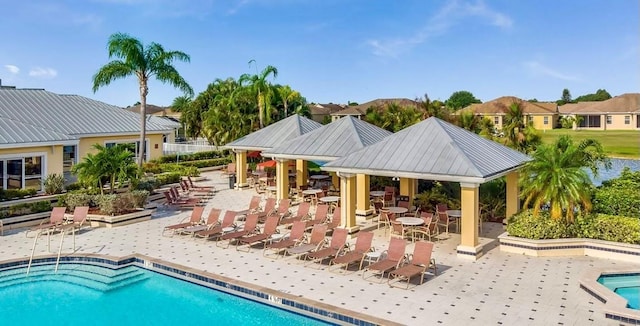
(436, 150)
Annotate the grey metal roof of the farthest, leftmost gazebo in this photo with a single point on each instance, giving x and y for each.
(275, 134)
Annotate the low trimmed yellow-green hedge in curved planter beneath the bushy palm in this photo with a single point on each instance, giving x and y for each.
(596, 226)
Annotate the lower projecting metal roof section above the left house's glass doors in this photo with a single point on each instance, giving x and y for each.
(17, 133)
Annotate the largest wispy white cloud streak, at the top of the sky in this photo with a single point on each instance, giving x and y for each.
(453, 13)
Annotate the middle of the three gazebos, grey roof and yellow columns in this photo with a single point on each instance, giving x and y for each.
(325, 144)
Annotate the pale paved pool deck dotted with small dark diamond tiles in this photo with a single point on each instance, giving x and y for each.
(499, 288)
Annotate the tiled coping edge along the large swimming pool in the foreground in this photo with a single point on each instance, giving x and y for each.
(265, 295)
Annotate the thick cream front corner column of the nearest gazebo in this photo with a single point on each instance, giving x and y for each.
(469, 247)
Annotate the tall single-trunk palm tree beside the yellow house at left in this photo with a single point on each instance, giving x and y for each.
(134, 59)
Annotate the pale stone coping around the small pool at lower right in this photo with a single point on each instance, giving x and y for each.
(615, 306)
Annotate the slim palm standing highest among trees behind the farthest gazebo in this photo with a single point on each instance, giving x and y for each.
(262, 88)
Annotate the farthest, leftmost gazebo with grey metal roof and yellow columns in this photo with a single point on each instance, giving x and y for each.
(267, 138)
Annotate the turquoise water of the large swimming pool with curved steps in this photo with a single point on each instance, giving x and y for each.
(90, 295)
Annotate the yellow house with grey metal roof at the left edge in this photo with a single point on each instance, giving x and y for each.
(43, 133)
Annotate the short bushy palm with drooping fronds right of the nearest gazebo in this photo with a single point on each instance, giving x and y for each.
(556, 176)
